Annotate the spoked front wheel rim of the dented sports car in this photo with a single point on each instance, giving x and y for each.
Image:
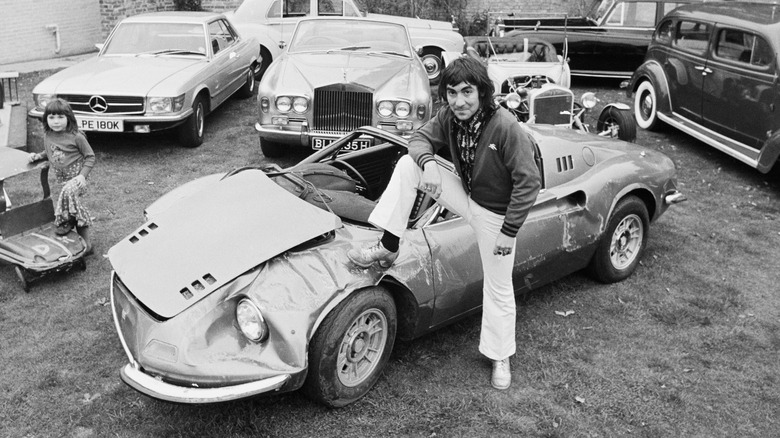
(362, 347)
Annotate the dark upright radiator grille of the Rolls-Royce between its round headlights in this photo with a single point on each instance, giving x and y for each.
(337, 111)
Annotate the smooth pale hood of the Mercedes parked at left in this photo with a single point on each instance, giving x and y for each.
(117, 75)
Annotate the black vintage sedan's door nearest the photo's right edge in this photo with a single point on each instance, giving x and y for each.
(739, 95)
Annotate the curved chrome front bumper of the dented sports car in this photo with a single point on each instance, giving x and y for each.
(158, 389)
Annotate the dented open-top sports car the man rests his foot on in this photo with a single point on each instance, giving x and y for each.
(266, 301)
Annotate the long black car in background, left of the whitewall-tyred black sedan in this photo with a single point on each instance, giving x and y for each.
(610, 40)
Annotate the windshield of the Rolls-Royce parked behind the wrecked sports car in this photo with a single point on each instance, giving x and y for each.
(350, 35)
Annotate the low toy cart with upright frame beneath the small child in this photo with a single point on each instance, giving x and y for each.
(27, 232)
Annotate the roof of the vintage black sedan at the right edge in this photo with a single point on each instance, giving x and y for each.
(732, 13)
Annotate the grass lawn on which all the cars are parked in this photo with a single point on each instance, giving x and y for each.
(686, 347)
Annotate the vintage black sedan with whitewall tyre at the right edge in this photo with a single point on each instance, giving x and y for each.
(711, 71)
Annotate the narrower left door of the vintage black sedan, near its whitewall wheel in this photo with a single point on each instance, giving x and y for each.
(685, 67)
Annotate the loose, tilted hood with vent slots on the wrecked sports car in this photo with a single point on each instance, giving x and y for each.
(203, 241)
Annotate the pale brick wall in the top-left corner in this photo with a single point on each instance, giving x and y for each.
(24, 36)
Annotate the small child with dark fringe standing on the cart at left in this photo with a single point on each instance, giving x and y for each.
(72, 158)
